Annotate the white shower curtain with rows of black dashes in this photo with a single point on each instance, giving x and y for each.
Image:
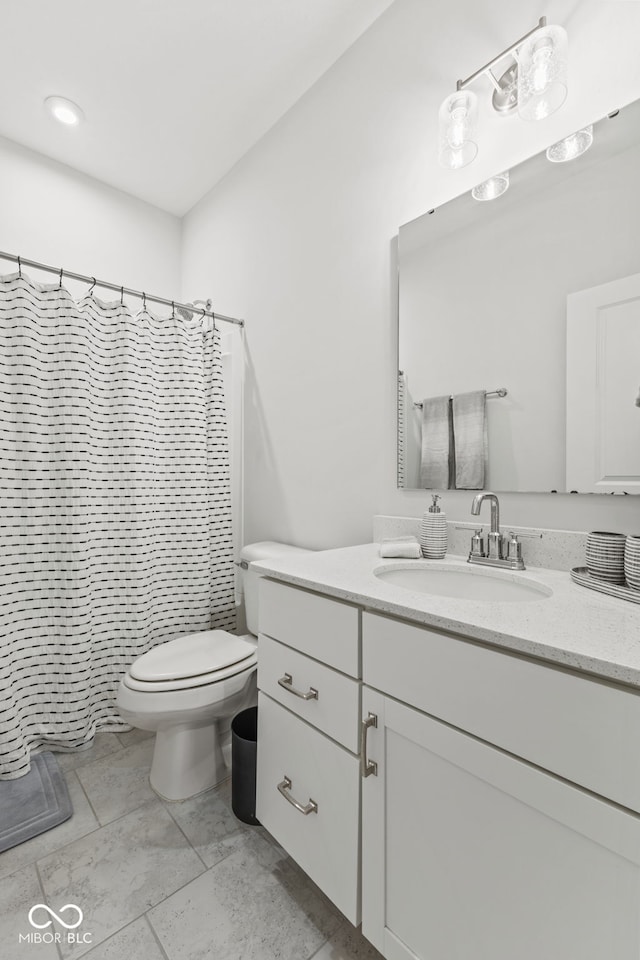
(115, 505)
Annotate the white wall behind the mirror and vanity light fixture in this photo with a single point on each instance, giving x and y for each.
(299, 239)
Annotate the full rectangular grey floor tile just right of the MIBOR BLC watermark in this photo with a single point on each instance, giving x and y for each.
(120, 871)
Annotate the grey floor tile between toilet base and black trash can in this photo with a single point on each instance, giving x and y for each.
(209, 823)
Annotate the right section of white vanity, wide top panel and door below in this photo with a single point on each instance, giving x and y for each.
(468, 850)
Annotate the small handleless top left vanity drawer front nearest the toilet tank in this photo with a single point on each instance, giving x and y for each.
(324, 629)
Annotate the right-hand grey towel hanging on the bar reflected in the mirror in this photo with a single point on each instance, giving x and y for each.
(470, 439)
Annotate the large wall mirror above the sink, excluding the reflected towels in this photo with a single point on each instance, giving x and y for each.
(533, 298)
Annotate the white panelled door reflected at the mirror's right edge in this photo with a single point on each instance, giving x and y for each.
(603, 382)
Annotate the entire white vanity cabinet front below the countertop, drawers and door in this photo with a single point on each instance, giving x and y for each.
(499, 816)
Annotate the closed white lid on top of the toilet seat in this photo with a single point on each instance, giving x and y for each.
(192, 656)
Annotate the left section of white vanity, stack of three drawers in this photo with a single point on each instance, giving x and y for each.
(308, 777)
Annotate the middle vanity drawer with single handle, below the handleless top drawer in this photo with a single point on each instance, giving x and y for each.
(336, 707)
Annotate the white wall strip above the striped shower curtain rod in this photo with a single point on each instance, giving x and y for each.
(51, 213)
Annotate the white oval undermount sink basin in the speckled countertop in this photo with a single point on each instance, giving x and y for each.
(462, 582)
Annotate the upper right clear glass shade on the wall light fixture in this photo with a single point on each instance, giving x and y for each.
(542, 73)
